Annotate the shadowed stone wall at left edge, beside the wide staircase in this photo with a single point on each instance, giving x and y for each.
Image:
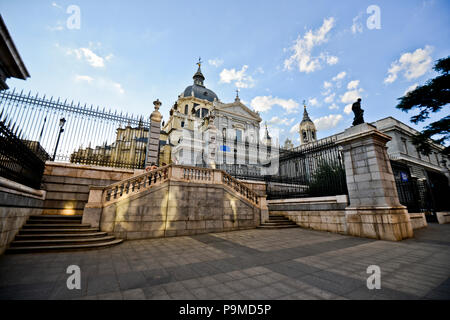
(17, 203)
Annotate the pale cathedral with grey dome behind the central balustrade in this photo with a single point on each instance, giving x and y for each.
(199, 114)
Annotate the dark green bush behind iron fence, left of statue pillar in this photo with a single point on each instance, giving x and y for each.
(329, 179)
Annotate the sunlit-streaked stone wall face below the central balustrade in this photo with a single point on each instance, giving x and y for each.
(176, 208)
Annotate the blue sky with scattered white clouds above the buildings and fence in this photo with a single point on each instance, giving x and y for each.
(278, 53)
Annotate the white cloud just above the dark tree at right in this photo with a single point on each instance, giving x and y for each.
(412, 64)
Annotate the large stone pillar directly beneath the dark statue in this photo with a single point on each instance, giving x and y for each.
(374, 210)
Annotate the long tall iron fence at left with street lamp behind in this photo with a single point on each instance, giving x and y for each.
(71, 132)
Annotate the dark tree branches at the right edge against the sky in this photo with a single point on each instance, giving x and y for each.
(430, 97)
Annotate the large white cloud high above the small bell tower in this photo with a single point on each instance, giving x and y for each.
(303, 47)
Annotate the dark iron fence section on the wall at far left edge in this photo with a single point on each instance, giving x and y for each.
(21, 161)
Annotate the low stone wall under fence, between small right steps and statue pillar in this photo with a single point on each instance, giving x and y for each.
(321, 213)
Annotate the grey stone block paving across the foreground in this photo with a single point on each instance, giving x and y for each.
(249, 264)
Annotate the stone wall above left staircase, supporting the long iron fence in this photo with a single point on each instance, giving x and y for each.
(67, 185)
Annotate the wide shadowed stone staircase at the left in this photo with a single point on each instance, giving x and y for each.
(48, 233)
